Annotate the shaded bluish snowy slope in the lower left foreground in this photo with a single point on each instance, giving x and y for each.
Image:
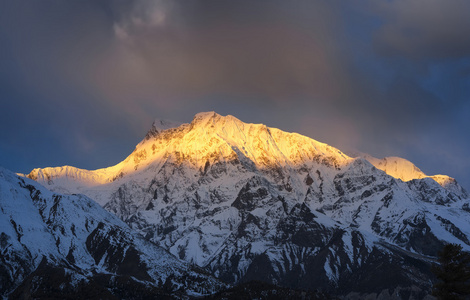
(57, 245)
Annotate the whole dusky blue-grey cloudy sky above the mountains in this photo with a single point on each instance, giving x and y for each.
(82, 81)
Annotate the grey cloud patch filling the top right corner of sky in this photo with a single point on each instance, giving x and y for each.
(424, 29)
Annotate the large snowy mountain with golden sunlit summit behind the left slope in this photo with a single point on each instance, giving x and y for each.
(250, 202)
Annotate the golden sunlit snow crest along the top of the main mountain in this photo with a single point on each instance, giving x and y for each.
(211, 137)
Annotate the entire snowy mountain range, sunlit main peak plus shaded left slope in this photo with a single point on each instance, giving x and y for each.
(240, 202)
